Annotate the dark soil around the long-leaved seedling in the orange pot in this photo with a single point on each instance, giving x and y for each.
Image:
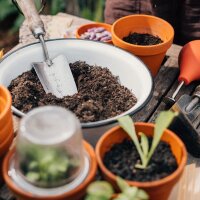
(121, 160)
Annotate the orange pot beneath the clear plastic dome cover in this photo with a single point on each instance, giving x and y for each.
(75, 194)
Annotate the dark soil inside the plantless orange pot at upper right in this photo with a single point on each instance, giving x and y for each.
(142, 39)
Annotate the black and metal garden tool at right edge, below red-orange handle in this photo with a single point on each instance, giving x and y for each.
(187, 124)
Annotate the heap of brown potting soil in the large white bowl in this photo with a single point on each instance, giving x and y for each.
(100, 95)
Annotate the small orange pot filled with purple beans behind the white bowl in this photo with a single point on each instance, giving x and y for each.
(95, 31)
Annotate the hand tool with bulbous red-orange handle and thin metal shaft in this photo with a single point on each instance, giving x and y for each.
(189, 62)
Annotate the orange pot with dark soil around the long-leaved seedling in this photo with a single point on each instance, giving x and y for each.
(117, 142)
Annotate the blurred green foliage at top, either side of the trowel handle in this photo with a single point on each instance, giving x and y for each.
(90, 9)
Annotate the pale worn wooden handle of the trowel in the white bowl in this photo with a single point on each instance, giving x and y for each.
(30, 12)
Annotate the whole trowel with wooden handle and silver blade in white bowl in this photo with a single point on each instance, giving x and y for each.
(55, 75)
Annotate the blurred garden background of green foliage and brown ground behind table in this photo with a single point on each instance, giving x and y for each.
(11, 19)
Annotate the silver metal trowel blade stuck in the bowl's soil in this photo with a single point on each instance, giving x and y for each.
(57, 78)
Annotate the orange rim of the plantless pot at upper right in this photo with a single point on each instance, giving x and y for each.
(164, 46)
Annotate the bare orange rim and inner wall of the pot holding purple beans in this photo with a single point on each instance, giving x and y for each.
(82, 29)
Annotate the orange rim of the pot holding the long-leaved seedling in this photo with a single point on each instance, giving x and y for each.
(143, 184)
